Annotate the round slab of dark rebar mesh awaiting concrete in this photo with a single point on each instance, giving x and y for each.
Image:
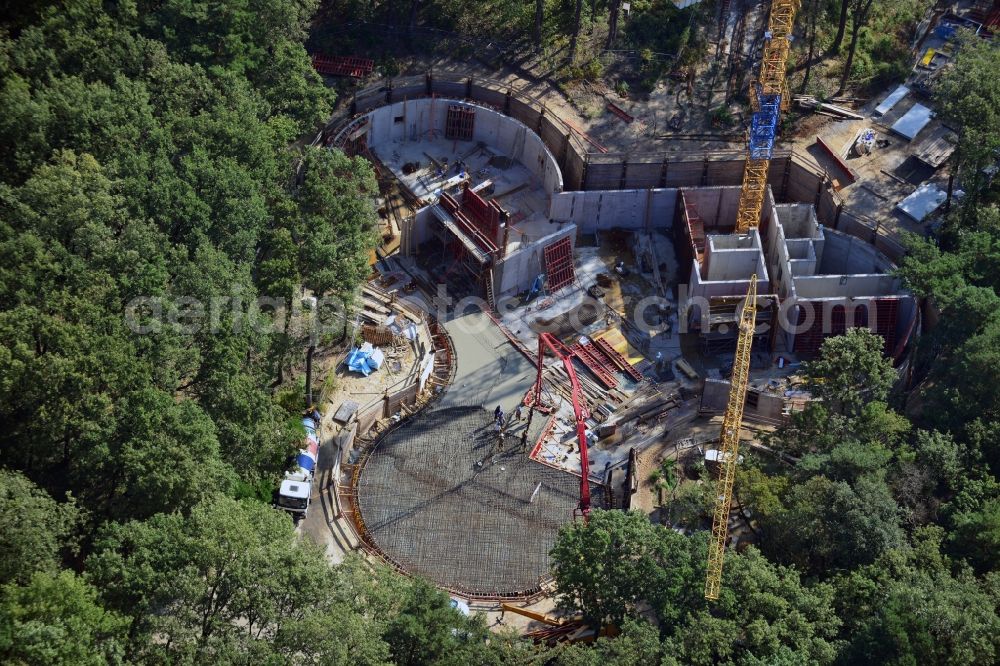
(437, 498)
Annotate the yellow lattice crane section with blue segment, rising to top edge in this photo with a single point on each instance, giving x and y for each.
(768, 99)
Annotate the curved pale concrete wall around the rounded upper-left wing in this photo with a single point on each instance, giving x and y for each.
(415, 120)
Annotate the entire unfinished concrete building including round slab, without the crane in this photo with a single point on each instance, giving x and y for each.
(505, 207)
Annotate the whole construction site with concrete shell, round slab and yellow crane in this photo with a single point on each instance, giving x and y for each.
(588, 315)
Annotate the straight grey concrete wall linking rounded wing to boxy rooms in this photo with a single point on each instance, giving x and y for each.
(627, 209)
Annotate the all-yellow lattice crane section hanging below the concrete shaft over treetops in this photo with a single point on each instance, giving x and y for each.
(731, 424)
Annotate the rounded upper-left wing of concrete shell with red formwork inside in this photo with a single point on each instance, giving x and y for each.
(481, 185)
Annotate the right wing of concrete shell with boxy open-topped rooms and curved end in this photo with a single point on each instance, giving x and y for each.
(812, 282)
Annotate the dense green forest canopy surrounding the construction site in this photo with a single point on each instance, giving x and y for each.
(150, 152)
